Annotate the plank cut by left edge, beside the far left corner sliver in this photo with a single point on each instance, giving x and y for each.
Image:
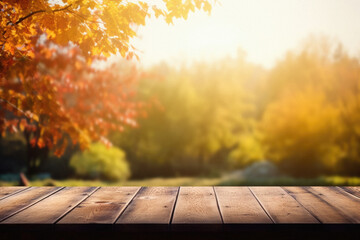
(16, 203)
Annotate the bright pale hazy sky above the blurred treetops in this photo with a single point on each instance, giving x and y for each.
(265, 29)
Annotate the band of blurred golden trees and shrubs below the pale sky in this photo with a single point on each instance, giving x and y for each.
(303, 115)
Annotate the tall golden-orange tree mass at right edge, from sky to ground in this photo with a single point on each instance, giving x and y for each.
(311, 121)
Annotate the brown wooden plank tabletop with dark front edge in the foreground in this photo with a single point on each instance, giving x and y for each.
(205, 210)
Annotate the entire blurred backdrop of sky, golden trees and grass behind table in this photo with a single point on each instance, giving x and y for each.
(256, 93)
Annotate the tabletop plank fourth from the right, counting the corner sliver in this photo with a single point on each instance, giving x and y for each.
(281, 207)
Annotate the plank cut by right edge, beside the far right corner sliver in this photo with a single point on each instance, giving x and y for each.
(342, 201)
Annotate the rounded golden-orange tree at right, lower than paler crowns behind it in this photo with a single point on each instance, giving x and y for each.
(301, 131)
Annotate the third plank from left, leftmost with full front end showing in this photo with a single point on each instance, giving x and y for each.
(49, 210)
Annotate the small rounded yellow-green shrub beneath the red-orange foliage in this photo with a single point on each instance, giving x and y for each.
(100, 162)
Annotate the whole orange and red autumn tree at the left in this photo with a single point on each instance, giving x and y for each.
(48, 85)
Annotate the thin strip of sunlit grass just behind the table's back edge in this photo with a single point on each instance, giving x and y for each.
(195, 181)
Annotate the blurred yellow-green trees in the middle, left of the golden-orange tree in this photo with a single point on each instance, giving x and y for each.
(204, 109)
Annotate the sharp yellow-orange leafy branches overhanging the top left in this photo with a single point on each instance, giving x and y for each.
(97, 27)
